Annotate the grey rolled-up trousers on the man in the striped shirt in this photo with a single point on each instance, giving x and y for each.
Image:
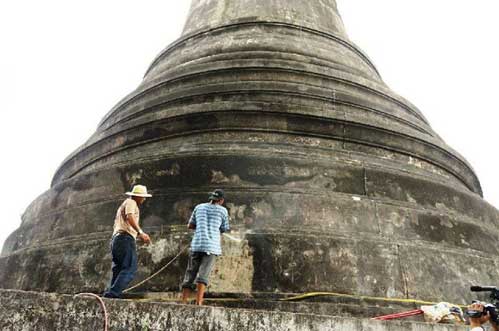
(198, 269)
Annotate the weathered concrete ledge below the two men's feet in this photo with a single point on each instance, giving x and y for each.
(42, 311)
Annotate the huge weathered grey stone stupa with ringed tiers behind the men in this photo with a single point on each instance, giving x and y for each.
(335, 182)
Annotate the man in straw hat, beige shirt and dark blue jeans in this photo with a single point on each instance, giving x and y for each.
(123, 249)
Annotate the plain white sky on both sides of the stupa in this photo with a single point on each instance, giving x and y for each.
(64, 64)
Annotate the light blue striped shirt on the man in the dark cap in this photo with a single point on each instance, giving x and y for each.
(210, 220)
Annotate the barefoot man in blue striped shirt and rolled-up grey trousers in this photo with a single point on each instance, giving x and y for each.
(208, 220)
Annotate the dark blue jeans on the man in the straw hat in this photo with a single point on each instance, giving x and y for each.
(124, 264)
